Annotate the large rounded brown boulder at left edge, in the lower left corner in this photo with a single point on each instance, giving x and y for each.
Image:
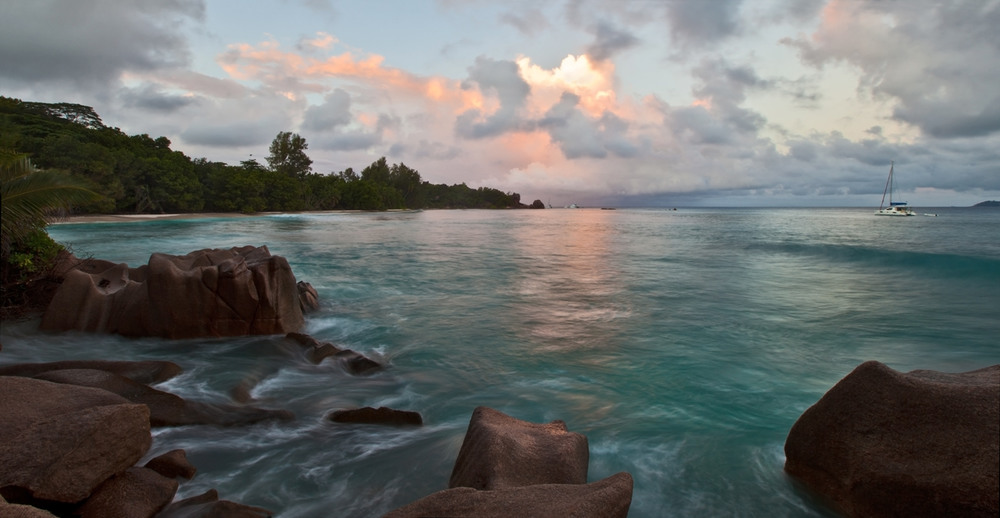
(60, 442)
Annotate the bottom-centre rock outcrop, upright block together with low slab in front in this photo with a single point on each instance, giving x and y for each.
(509, 467)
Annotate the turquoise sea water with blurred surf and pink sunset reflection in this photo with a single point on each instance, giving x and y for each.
(684, 344)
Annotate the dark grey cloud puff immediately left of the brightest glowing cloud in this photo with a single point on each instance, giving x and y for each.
(502, 79)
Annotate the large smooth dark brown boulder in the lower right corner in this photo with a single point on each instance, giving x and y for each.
(885, 443)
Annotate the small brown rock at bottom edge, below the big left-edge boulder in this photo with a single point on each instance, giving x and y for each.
(136, 493)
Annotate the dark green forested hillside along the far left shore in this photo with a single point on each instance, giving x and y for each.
(141, 174)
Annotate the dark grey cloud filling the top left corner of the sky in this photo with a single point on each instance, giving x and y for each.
(91, 42)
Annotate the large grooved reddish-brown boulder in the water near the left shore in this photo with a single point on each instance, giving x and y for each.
(211, 292)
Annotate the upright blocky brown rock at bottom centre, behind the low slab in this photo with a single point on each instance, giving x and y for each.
(500, 452)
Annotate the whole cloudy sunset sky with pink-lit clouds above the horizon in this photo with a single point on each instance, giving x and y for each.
(594, 102)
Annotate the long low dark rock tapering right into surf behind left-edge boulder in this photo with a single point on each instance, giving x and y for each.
(166, 409)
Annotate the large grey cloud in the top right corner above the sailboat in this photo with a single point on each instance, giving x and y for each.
(935, 61)
